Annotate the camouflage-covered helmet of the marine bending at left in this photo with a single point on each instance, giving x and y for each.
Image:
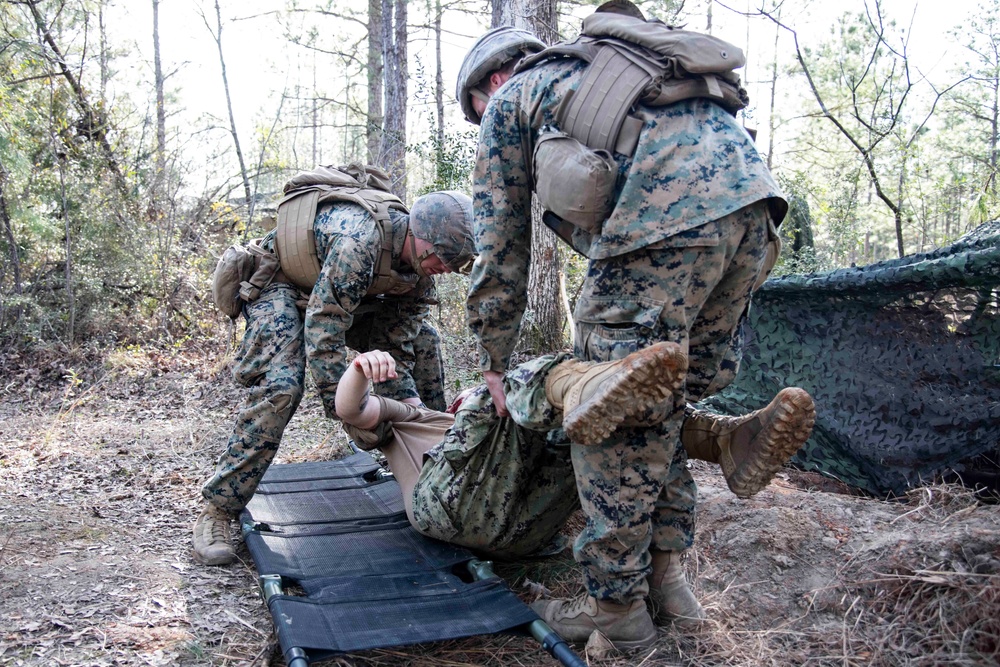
(444, 219)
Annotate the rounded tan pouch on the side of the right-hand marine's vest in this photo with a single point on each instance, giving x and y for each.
(573, 181)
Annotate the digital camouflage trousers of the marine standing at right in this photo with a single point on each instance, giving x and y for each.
(635, 487)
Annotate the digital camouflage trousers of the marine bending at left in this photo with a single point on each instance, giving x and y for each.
(271, 362)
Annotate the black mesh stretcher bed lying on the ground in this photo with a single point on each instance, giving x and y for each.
(370, 580)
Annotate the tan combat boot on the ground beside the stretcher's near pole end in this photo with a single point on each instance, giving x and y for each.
(627, 626)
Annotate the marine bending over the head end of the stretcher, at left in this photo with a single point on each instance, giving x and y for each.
(356, 271)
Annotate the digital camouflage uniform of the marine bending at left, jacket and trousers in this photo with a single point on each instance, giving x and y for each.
(284, 333)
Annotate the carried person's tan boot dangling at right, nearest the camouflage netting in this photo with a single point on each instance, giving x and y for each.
(752, 448)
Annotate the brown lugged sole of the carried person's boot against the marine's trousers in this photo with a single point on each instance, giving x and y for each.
(652, 375)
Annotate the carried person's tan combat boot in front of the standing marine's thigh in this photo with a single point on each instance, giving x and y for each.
(597, 397)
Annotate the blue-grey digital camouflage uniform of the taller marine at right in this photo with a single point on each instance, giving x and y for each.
(675, 261)
